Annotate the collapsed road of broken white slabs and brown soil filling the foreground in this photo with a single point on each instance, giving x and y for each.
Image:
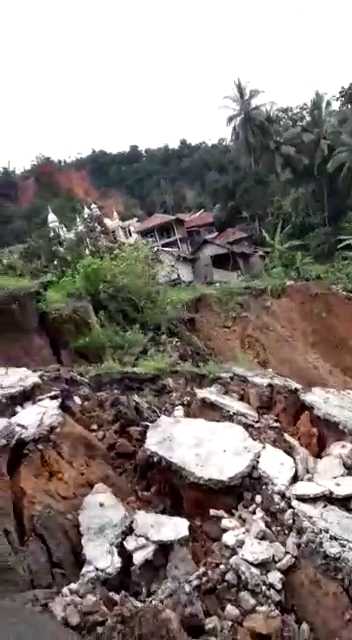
(133, 506)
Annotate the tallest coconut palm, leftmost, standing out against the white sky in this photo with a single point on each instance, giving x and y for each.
(247, 121)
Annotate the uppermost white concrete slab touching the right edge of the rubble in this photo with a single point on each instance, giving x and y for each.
(330, 404)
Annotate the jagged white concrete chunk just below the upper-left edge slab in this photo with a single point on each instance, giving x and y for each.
(37, 420)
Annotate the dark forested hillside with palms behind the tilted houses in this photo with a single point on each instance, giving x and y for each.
(287, 171)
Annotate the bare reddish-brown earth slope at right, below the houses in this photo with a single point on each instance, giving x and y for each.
(305, 335)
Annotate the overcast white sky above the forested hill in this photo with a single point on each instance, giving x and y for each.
(83, 74)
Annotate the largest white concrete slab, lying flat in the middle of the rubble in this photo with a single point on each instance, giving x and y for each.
(212, 453)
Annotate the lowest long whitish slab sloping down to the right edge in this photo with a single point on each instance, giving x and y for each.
(337, 522)
